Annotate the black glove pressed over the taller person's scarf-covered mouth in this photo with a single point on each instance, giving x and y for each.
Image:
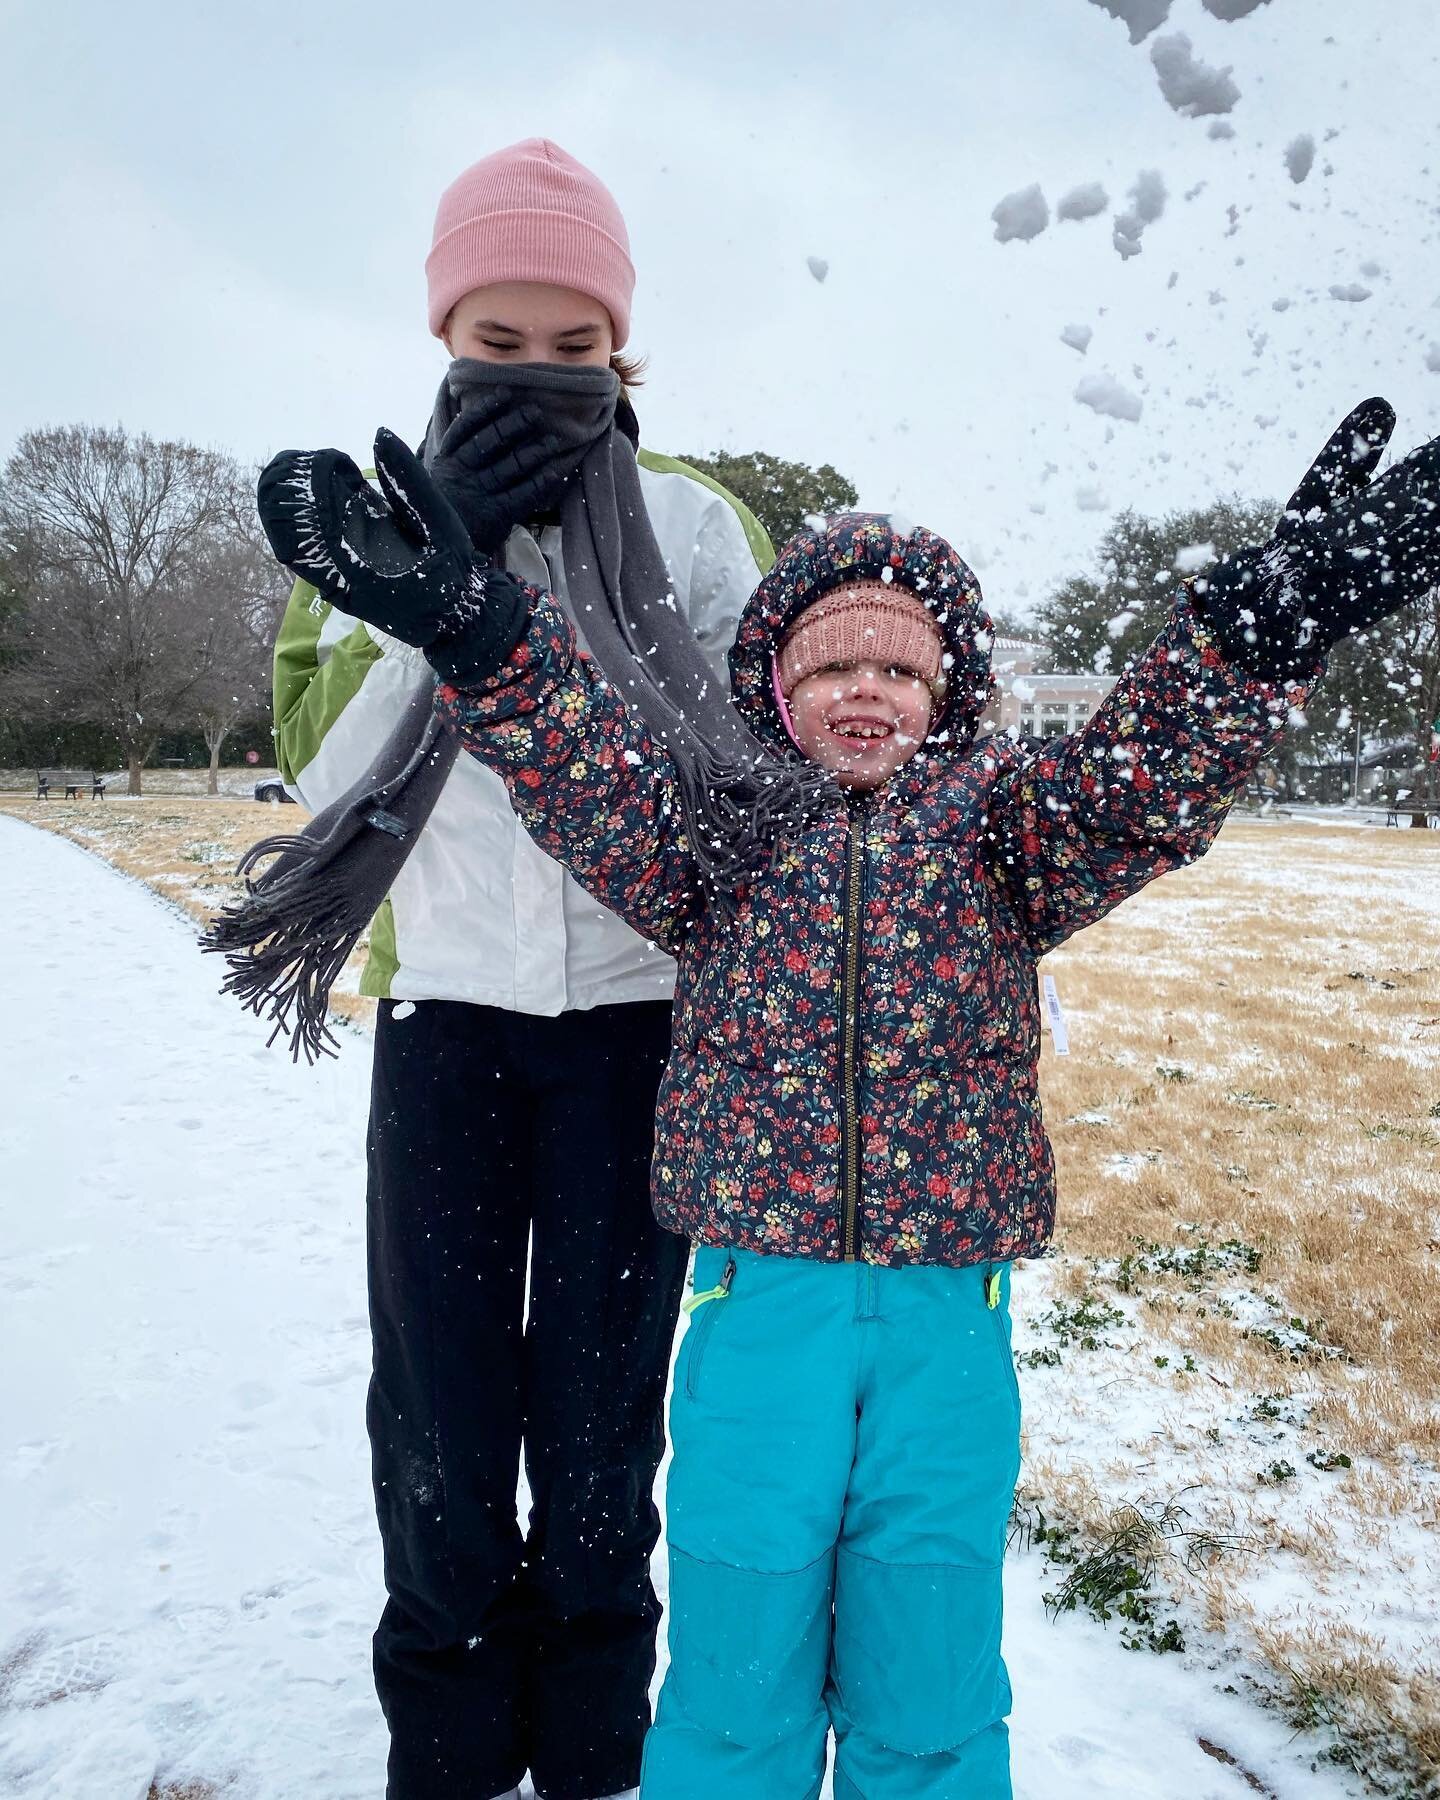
(501, 465)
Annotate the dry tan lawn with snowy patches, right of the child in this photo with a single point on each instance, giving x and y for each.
(1257, 1039)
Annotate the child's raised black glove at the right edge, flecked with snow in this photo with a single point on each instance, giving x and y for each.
(1345, 553)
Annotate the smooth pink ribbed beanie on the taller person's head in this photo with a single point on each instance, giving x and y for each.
(530, 213)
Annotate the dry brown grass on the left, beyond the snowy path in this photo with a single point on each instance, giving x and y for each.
(184, 849)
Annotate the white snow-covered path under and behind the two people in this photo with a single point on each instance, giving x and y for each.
(188, 1567)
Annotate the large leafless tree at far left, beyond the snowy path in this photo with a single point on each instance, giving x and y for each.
(109, 543)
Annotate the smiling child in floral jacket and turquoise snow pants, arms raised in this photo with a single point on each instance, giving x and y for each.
(849, 1126)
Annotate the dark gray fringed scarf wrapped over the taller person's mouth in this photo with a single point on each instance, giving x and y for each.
(291, 933)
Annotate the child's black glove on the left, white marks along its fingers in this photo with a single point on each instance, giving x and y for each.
(399, 559)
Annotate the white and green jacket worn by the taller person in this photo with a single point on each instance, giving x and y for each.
(478, 912)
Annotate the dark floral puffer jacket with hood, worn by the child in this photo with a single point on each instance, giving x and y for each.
(854, 1063)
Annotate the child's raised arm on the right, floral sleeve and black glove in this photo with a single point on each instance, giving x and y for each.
(1147, 784)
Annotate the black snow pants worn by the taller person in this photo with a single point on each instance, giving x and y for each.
(503, 1651)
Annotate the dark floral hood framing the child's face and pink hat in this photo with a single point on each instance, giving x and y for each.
(854, 548)
